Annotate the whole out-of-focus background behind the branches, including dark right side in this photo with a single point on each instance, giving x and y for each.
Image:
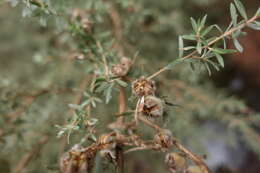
(218, 116)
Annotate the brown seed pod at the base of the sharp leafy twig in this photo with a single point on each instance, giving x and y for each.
(143, 87)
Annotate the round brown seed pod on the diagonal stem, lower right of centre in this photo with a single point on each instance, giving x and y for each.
(164, 139)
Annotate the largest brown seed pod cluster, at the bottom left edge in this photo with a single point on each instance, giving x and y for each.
(77, 161)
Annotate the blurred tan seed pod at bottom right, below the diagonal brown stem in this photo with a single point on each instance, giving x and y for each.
(175, 162)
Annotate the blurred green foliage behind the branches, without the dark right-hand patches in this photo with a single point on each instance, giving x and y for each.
(42, 73)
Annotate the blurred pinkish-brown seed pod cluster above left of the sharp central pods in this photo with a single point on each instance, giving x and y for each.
(122, 68)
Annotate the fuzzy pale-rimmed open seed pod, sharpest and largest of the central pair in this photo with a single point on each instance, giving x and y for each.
(152, 107)
